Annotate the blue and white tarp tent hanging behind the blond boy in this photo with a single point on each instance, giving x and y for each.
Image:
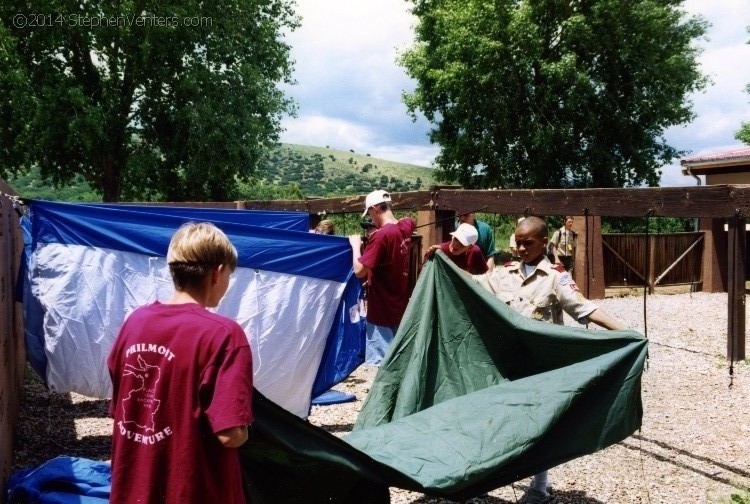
(88, 266)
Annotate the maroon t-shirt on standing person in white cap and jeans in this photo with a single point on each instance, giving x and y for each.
(387, 256)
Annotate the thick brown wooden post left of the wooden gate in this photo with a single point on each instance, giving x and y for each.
(589, 260)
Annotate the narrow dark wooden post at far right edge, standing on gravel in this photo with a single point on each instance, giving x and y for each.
(737, 252)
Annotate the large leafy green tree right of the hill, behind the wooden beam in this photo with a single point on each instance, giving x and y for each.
(546, 93)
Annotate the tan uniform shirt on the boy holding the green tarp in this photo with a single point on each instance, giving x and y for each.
(543, 295)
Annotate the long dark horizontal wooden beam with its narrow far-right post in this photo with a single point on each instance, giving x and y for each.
(720, 203)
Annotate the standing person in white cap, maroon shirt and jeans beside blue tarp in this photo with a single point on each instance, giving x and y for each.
(385, 267)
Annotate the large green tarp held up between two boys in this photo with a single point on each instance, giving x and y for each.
(472, 396)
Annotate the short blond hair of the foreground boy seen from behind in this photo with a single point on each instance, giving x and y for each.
(195, 249)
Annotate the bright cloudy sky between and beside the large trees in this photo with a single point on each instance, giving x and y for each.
(349, 85)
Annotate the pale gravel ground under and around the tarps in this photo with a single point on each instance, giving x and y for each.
(693, 447)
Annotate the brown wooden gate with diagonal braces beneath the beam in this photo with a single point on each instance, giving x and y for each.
(666, 259)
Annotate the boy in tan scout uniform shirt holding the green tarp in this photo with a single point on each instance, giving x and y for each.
(537, 289)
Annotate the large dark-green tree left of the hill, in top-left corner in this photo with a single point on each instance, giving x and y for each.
(143, 99)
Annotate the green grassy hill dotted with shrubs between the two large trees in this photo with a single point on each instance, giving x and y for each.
(321, 171)
